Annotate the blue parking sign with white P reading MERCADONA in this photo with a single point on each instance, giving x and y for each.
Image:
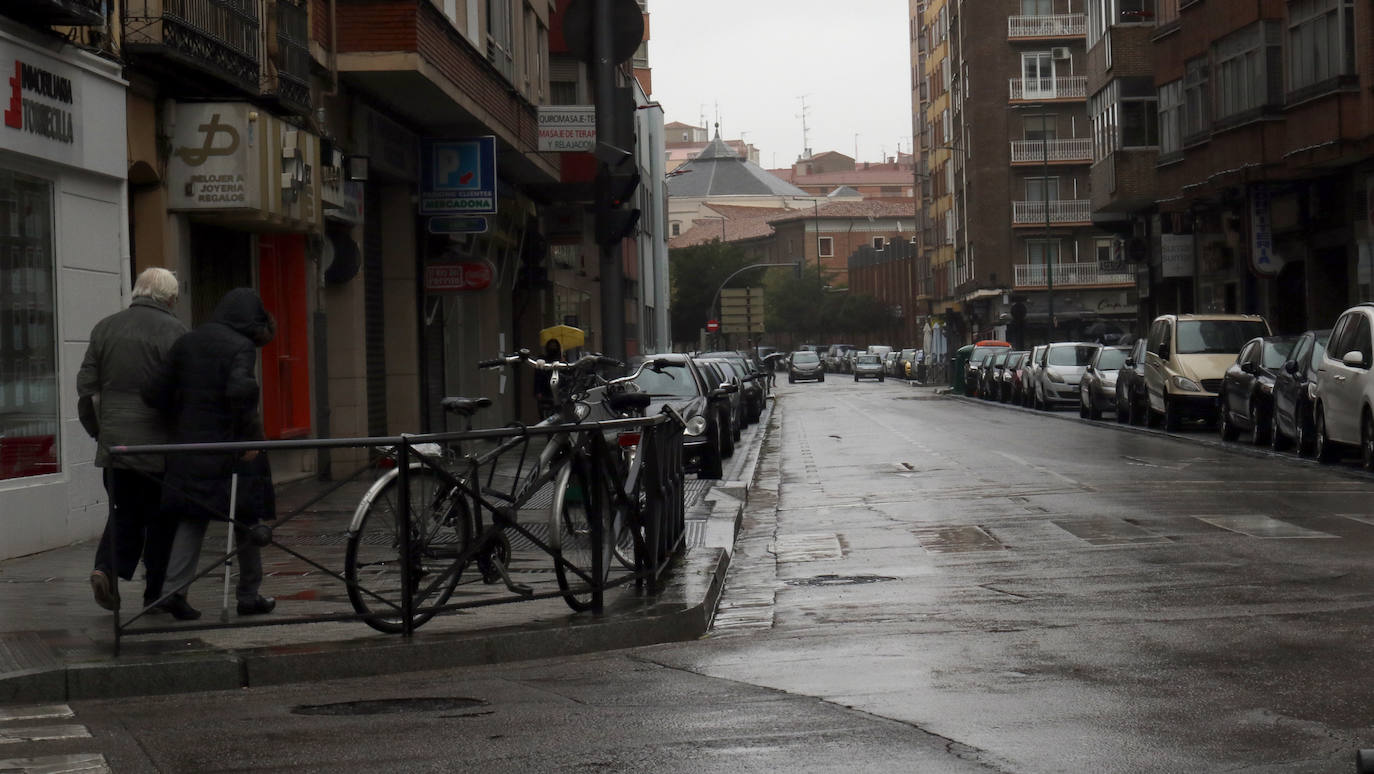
(458, 177)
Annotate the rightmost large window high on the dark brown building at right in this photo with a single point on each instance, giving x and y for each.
(1321, 42)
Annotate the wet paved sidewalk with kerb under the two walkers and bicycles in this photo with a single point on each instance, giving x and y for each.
(56, 644)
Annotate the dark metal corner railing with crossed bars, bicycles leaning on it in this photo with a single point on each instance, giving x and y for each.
(662, 523)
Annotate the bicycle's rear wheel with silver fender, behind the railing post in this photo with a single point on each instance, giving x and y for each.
(440, 531)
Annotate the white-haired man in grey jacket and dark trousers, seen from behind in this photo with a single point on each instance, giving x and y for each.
(126, 354)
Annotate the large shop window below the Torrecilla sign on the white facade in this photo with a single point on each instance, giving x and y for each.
(28, 336)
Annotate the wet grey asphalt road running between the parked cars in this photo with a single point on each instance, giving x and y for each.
(921, 585)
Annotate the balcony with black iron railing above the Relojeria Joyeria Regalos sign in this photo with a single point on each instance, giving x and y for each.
(218, 38)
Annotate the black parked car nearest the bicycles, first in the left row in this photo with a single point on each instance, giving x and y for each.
(681, 383)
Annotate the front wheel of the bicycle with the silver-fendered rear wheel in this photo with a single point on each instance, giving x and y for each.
(576, 534)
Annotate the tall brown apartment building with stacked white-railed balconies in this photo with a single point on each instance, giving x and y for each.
(1006, 144)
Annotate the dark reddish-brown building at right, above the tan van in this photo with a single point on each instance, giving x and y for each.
(1263, 159)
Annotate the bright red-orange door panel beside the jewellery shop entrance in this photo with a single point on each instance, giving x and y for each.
(286, 377)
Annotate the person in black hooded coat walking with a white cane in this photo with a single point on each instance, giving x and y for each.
(211, 394)
